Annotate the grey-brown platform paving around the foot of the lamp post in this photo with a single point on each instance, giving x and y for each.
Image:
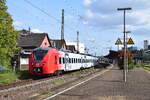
(110, 86)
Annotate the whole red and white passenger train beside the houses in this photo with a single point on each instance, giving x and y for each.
(47, 60)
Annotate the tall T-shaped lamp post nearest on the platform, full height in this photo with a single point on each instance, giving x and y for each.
(125, 43)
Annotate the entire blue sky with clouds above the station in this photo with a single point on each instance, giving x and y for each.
(98, 21)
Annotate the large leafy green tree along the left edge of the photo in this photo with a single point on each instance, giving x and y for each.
(8, 36)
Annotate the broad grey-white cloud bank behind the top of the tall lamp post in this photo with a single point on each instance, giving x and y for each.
(103, 14)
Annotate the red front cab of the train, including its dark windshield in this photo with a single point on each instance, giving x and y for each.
(43, 62)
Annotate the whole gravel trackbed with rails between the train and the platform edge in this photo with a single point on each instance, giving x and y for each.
(26, 89)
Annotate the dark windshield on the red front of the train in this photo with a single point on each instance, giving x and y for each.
(39, 54)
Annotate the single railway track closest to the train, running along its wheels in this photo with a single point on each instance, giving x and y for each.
(30, 83)
